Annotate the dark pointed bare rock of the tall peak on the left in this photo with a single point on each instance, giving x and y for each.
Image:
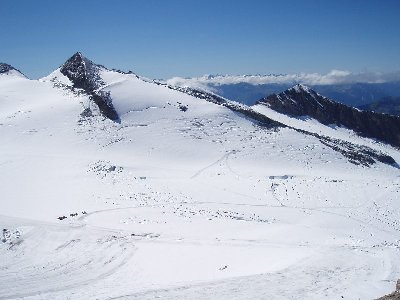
(84, 74)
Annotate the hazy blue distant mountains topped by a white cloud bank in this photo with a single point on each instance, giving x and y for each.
(348, 89)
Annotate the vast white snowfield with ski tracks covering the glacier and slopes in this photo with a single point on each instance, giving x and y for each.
(195, 203)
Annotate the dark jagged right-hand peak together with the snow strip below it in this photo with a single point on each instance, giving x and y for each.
(304, 109)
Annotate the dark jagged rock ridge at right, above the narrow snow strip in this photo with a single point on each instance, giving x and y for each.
(302, 101)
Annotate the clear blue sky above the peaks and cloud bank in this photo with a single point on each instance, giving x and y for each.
(160, 39)
